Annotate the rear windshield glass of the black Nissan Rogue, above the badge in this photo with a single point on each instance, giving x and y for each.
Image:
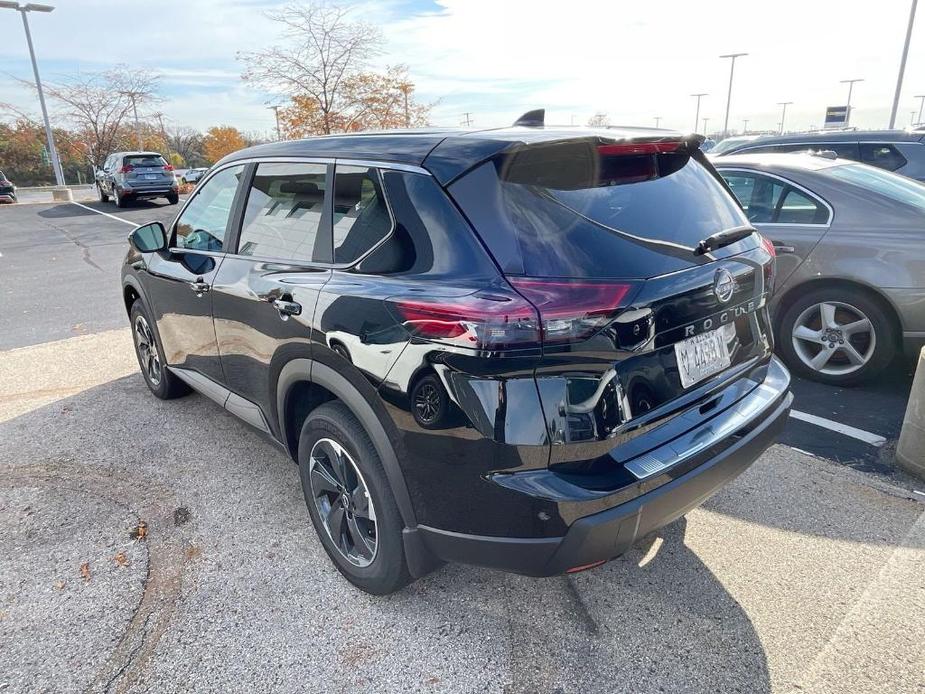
(572, 210)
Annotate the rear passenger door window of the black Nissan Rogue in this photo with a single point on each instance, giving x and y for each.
(285, 206)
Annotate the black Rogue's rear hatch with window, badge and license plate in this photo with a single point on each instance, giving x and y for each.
(641, 320)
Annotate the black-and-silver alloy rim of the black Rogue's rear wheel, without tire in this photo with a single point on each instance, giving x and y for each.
(343, 503)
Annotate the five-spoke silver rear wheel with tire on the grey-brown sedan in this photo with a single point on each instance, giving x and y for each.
(816, 322)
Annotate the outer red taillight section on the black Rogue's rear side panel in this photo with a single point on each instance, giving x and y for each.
(484, 320)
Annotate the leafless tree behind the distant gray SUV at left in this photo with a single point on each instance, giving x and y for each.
(98, 105)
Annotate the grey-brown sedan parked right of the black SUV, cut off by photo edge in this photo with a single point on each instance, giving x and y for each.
(850, 242)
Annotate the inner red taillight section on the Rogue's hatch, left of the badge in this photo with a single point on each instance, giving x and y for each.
(572, 310)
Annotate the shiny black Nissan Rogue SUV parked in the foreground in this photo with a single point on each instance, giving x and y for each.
(524, 348)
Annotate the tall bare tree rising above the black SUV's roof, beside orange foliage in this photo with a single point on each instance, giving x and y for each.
(322, 49)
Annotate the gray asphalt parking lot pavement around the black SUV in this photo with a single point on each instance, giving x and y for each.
(803, 575)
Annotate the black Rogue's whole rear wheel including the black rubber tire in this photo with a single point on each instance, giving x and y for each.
(379, 570)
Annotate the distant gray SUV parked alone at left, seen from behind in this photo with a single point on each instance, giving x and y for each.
(128, 176)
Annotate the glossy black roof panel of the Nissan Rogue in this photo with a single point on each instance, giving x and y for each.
(445, 152)
